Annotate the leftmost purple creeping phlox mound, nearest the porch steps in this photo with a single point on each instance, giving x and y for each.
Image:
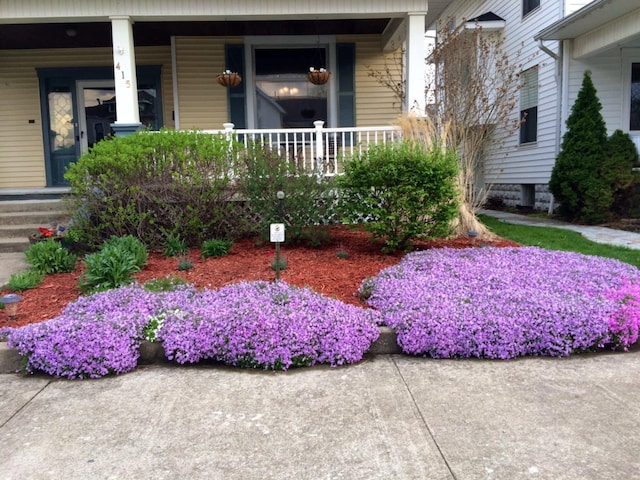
(94, 336)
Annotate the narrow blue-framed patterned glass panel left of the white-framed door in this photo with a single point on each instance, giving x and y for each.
(62, 135)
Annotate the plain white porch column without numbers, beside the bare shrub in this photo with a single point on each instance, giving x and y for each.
(415, 63)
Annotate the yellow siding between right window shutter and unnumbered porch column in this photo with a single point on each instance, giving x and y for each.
(375, 103)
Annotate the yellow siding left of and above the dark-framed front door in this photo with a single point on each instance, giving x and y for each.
(21, 145)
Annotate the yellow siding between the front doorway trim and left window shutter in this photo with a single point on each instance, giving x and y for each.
(202, 102)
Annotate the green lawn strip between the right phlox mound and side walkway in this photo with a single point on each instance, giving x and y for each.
(559, 239)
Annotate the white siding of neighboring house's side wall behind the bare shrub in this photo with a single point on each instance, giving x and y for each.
(513, 163)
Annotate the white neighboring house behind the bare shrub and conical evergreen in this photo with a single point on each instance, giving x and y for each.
(558, 40)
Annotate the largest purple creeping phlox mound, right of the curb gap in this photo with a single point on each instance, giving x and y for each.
(507, 302)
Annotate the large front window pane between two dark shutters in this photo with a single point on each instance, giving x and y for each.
(284, 96)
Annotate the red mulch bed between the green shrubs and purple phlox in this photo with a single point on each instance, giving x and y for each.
(317, 268)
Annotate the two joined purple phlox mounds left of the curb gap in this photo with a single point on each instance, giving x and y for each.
(247, 324)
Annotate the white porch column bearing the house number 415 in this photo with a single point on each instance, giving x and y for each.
(124, 70)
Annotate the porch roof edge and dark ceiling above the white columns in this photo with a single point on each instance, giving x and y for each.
(72, 24)
